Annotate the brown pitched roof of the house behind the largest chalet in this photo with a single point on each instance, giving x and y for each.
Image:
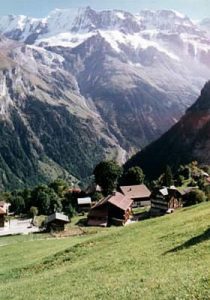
(136, 191)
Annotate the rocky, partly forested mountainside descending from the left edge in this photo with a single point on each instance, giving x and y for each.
(46, 127)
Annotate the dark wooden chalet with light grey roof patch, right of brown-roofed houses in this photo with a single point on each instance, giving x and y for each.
(166, 200)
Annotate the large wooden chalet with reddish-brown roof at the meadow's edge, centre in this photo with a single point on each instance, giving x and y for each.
(114, 209)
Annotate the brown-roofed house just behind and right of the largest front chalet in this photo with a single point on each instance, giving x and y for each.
(140, 194)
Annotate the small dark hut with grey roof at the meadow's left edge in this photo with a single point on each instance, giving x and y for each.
(56, 222)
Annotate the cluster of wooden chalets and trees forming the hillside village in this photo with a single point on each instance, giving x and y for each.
(116, 205)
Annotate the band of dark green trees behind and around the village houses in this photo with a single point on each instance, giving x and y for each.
(59, 196)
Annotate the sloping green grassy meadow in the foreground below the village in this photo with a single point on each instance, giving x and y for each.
(162, 258)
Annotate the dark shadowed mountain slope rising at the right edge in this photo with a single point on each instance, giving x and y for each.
(186, 141)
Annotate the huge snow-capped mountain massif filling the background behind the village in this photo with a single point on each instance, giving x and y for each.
(81, 85)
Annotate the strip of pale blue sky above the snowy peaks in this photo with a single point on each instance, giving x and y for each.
(195, 9)
